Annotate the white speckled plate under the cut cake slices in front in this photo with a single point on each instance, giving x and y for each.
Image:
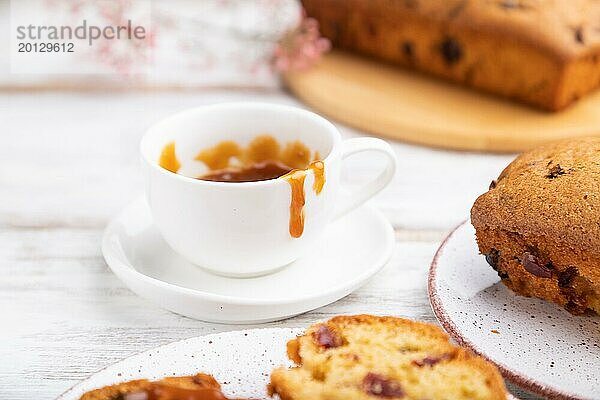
(241, 361)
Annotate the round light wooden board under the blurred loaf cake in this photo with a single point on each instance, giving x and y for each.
(404, 105)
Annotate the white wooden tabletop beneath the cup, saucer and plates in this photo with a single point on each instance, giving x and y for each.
(68, 162)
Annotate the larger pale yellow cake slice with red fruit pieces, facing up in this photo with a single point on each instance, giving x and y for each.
(367, 357)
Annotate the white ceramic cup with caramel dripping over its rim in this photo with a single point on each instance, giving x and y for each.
(242, 229)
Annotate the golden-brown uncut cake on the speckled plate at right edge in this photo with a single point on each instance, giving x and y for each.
(539, 224)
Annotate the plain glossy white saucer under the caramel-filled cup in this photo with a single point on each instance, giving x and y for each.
(351, 251)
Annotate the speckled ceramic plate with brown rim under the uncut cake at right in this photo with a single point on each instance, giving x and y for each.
(538, 346)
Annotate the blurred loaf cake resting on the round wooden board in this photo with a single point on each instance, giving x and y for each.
(542, 52)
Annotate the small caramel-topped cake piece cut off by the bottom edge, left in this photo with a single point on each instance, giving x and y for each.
(199, 386)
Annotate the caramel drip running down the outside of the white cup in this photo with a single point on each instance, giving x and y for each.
(296, 180)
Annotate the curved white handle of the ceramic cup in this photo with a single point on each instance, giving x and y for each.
(350, 201)
